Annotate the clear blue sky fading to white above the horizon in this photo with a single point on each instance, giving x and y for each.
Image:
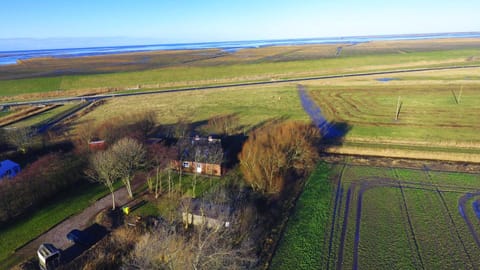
(67, 23)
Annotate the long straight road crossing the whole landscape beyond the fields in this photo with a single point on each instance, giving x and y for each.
(98, 97)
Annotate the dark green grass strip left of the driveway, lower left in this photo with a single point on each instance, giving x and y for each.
(30, 227)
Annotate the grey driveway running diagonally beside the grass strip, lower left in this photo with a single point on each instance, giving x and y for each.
(57, 235)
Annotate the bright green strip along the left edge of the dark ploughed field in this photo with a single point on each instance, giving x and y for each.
(302, 244)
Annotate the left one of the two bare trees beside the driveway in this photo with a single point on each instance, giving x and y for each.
(103, 170)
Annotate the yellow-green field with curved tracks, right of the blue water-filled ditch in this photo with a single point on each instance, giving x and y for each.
(430, 119)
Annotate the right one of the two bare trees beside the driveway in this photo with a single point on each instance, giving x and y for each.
(129, 156)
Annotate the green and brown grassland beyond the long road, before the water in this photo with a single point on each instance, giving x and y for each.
(187, 68)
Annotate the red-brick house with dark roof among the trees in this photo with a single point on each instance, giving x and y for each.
(200, 155)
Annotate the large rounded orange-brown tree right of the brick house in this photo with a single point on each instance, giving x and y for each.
(277, 151)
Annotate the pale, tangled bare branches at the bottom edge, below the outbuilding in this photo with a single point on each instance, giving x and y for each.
(199, 247)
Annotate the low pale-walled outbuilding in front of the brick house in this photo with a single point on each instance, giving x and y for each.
(198, 212)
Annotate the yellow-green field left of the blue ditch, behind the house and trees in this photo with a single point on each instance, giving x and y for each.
(253, 105)
